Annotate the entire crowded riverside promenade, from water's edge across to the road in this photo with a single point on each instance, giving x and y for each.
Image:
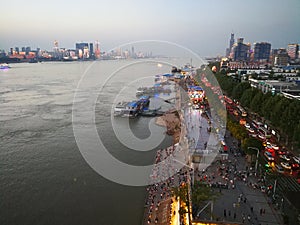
(239, 203)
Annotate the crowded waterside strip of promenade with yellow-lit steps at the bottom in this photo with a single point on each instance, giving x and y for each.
(172, 165)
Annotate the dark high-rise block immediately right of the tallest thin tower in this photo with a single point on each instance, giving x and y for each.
(240, 51)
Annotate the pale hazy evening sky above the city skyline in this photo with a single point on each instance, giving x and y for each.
(203, 26)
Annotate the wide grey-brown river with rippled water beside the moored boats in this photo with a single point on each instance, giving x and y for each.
(44, 178)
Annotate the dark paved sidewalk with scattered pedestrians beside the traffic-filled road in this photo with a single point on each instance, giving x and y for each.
(241, 202)
